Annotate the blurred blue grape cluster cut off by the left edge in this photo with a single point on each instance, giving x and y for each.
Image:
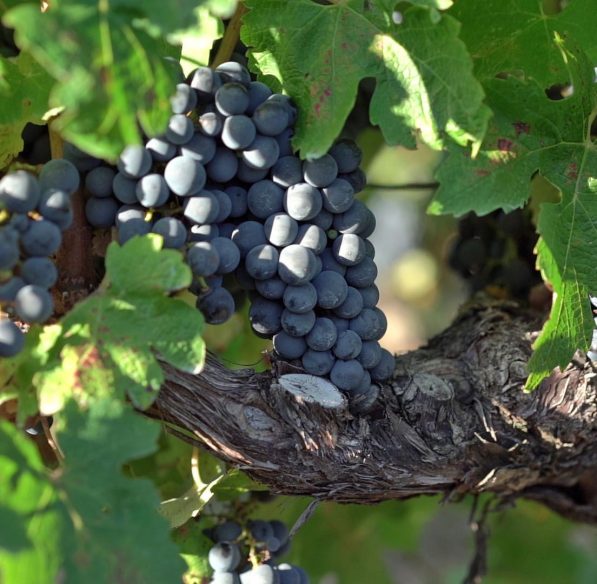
(35, 211)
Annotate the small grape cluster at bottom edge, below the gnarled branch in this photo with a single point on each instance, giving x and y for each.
(265, 541)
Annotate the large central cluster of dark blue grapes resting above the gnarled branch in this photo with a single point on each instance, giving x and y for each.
(223, 186)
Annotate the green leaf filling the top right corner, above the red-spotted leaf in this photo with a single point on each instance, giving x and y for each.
(517, 35)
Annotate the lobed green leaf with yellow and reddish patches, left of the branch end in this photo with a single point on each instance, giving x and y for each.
(109, 342)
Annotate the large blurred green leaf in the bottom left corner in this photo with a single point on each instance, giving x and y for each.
(86, 522)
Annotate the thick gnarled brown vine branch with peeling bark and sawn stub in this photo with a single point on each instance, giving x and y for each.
(454, 420)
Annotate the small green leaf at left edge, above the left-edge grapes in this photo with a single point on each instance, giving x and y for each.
(24, 95)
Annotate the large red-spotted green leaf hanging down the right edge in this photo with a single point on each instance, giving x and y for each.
(531, 133)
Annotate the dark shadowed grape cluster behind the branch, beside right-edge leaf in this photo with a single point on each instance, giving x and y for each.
(498, 250)
